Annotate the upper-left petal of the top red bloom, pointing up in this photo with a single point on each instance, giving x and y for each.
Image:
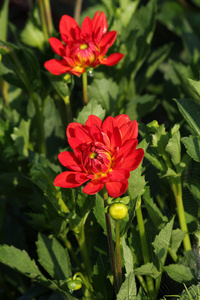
(67, 28)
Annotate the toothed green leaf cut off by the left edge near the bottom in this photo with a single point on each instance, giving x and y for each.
(19, 260)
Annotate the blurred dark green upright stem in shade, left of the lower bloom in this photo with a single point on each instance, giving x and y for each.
(40, 124)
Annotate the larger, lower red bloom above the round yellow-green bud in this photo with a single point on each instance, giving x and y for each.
(104, 152)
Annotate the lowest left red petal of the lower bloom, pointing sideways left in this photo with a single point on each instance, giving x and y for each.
(70, 179)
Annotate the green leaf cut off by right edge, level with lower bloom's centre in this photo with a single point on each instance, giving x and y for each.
(192, 145)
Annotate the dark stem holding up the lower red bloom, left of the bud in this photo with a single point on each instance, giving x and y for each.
(110, 242)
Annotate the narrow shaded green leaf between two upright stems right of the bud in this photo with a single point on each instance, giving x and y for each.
(154, 213)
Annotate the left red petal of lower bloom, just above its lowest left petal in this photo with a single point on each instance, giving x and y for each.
(70, 161)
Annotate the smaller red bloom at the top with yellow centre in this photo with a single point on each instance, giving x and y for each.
(84, 47)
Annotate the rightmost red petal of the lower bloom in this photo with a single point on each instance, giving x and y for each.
(132, 161)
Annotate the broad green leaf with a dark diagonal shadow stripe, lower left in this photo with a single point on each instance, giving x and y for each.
(53, 257)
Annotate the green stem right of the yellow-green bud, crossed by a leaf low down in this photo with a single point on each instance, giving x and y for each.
(143, 240)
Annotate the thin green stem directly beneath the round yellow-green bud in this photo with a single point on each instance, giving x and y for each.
(118, 252)
